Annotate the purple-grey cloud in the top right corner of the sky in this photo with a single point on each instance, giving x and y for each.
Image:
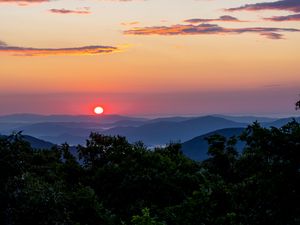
(288, 5)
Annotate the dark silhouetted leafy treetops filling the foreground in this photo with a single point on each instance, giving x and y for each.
(113, 182)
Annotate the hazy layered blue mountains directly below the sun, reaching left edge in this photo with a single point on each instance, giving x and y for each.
(64, 128)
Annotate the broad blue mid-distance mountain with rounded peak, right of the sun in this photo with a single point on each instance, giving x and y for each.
(163, 132)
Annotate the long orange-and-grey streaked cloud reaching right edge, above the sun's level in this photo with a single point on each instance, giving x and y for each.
(202, 29)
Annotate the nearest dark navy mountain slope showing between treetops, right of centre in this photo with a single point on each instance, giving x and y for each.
(197, 147)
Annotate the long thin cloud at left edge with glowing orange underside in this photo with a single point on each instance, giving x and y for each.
(85, 50)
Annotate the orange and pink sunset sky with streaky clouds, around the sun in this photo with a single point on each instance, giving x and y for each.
(150, 57)
